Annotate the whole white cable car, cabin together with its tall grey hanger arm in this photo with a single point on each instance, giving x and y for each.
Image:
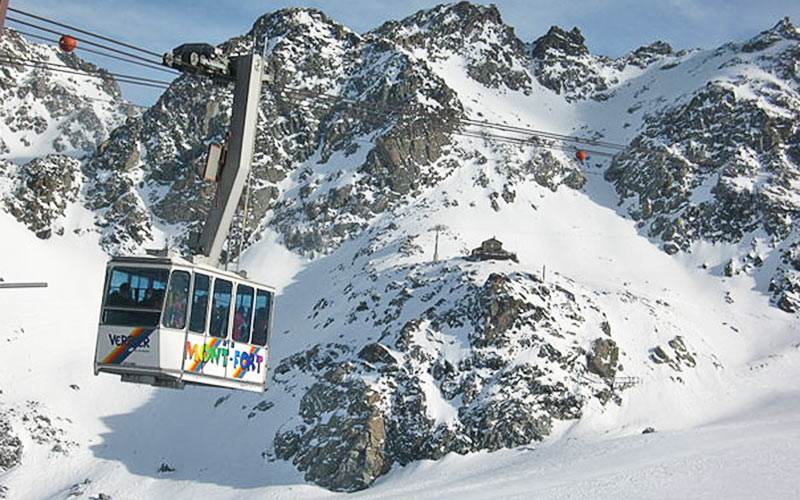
(169, 322)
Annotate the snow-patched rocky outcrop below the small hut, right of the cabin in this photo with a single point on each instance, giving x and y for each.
(407, 397)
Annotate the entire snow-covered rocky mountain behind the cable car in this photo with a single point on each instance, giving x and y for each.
(644, 294)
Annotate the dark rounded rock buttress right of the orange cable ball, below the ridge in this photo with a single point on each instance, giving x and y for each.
(672, 176)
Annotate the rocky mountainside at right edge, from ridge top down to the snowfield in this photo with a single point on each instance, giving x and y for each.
(730, 170)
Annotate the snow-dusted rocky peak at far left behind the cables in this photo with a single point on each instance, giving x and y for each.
(44, 110)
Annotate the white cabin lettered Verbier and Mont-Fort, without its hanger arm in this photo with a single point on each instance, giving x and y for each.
(167, 322)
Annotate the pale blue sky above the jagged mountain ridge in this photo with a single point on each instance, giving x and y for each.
(611, 27)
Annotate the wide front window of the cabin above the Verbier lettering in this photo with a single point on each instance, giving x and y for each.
(134, 296)
